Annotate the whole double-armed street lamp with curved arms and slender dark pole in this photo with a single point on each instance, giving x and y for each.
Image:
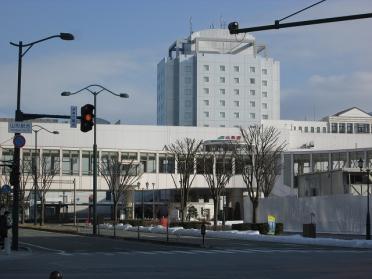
(91, 89)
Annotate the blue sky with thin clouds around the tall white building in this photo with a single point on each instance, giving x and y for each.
(324, 68)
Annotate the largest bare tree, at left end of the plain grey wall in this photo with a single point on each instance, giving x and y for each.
(258, 155)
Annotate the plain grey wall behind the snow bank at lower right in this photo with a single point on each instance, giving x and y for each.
(333, 214)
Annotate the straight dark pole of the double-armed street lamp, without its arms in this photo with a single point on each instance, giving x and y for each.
(95, 167)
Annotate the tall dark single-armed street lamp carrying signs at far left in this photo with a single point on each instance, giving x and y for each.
(18, 117)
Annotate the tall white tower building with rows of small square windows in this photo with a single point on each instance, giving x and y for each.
(214, 79)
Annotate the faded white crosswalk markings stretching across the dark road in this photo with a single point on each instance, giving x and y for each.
(209, 251)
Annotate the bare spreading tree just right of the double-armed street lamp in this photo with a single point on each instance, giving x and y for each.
(121, 177)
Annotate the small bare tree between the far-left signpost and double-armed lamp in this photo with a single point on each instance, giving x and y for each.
(48, 170)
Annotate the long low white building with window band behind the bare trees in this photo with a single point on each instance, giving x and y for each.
(311, 146)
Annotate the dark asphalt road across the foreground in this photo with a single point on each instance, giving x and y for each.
(92, 257)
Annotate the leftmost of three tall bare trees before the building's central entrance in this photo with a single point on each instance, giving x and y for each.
(185, 151)
